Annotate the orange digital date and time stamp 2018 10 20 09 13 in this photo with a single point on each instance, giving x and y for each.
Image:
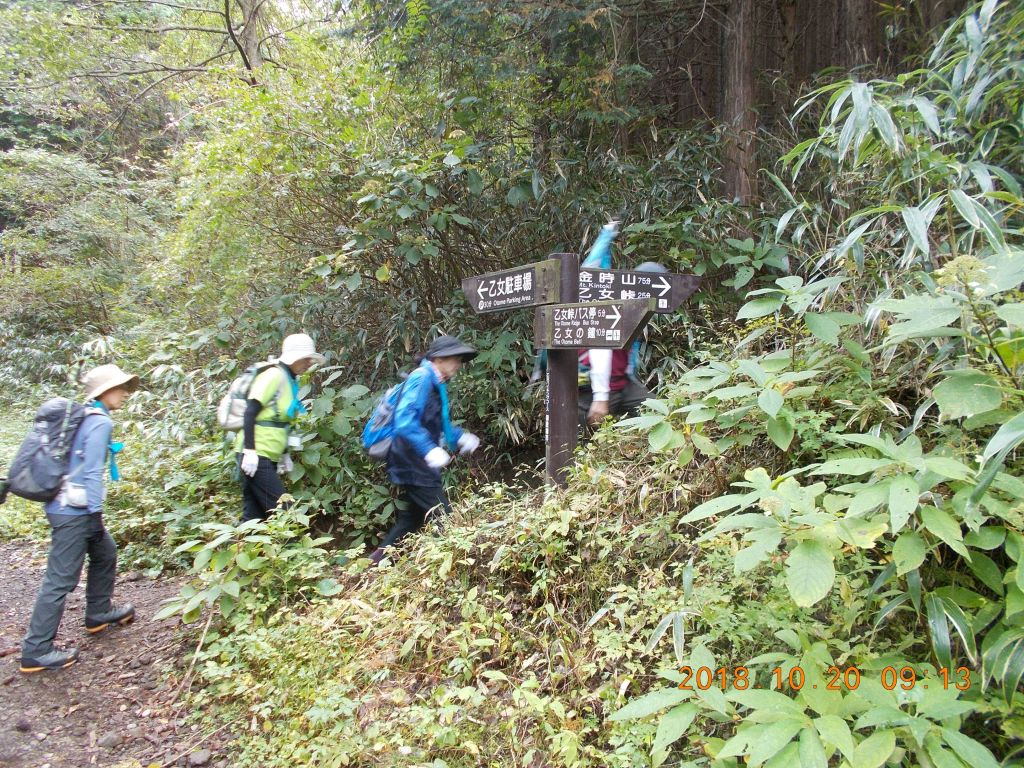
(848, 678)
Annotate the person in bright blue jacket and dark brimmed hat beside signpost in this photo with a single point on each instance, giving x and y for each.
(422, 428)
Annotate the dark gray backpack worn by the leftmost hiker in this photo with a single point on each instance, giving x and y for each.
(40, 466)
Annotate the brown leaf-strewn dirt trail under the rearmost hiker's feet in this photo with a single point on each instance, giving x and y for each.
(111, 709)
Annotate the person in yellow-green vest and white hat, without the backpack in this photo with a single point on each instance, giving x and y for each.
(273, 408)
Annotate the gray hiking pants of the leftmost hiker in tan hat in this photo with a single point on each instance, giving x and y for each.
(73, 537)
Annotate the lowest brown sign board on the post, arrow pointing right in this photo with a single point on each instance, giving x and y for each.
(591, 326)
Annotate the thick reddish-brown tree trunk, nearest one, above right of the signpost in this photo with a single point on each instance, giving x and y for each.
(739, 166)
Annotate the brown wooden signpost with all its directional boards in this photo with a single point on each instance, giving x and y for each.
(616, 306)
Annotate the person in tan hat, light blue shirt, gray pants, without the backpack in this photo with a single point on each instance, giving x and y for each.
(77, 530)
